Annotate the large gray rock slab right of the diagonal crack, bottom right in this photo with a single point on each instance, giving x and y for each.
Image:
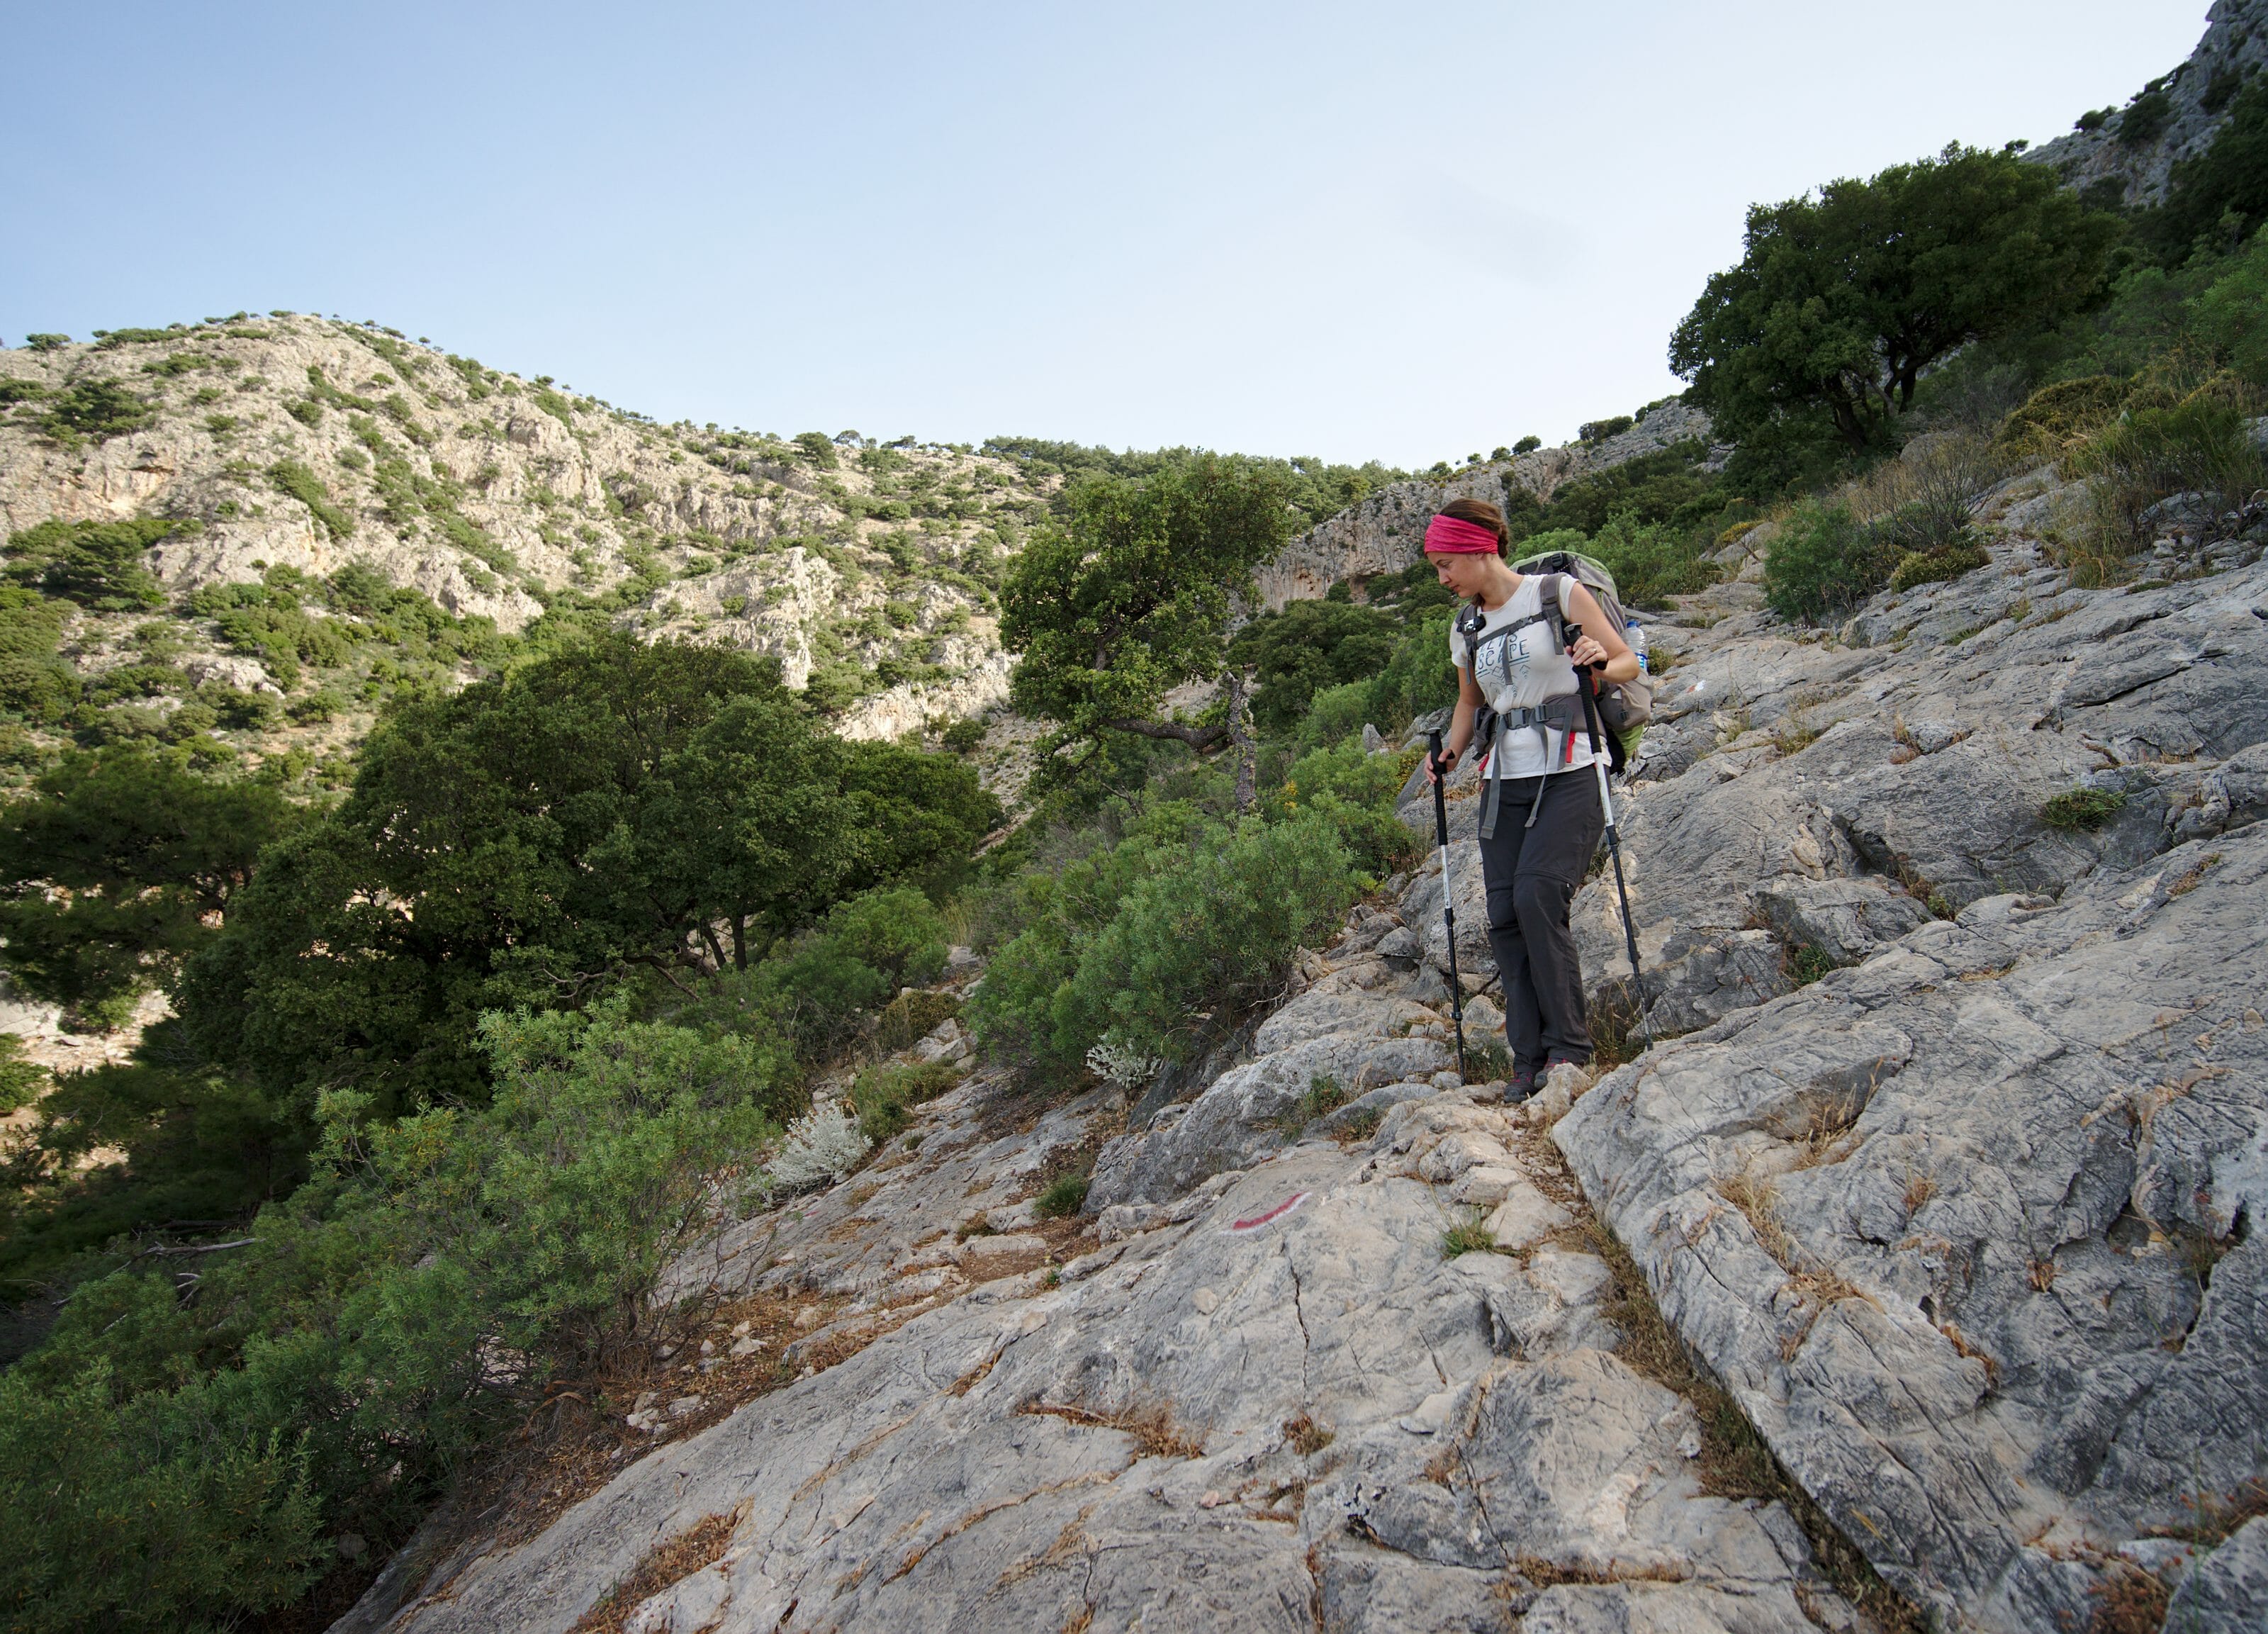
(1965, 1227)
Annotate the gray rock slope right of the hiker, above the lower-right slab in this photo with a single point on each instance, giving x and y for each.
(1834, 793)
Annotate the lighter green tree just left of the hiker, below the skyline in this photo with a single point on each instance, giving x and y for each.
(1131, 596)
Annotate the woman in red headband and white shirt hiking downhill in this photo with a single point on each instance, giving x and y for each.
(1539, 798)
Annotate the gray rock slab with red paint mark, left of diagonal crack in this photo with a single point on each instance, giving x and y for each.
(1258, 1401)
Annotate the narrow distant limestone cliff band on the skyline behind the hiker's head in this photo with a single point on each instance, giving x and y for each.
(1385, 532)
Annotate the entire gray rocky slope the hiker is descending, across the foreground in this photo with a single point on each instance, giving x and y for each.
(1947, 1179)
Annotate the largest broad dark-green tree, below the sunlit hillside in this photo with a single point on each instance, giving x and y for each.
(536, 839)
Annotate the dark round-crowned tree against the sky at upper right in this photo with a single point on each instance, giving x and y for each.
(1843, 301)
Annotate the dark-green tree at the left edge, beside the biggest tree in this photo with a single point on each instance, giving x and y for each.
(117, 866)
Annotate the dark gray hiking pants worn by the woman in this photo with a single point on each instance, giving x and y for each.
(1532, 877)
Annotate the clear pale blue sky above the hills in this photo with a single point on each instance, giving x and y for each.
(1348, 230)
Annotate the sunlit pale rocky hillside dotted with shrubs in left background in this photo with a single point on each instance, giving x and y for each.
(305, 444)
